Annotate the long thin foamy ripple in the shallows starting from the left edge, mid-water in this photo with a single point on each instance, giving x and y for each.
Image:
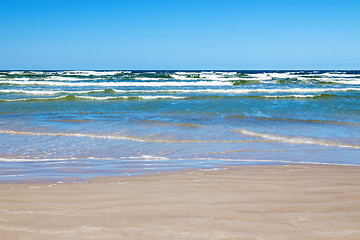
(129, 138)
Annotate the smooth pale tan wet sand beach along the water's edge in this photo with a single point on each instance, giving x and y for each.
(248, 202)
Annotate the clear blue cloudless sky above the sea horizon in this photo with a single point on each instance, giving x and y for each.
(179, 35)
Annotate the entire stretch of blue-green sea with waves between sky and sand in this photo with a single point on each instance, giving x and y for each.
(78, 124)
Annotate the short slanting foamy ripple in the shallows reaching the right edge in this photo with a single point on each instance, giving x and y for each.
(296, 140)
